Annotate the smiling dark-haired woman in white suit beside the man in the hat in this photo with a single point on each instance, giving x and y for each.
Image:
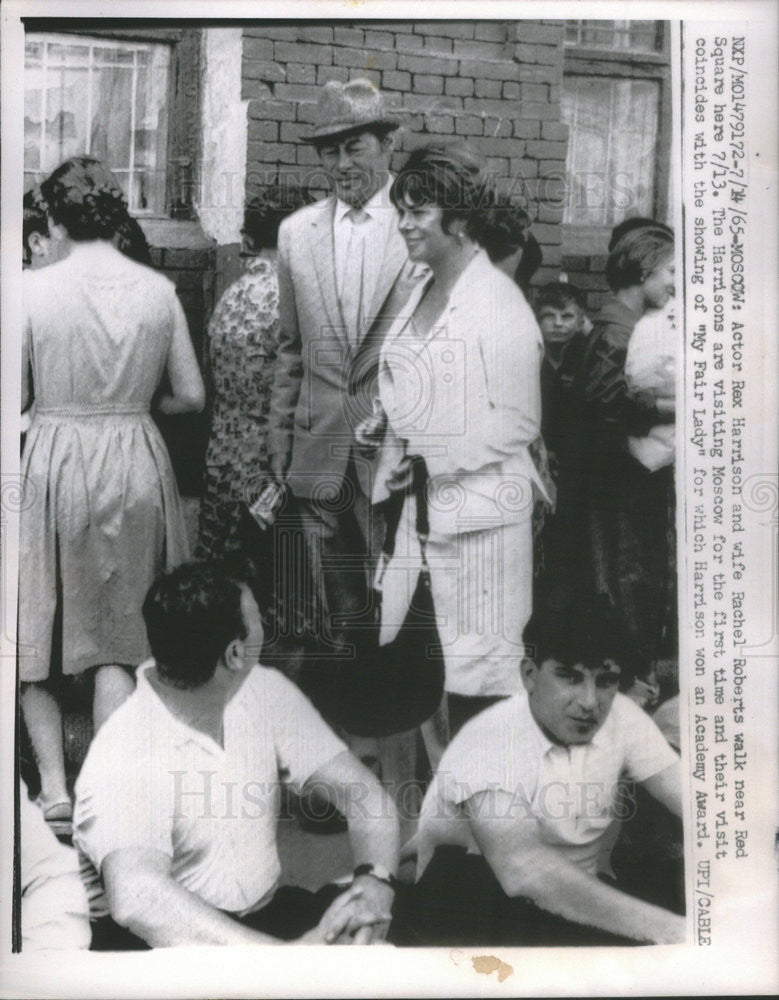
(459, 383)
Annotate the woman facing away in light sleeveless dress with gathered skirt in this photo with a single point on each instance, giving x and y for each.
(101, 513)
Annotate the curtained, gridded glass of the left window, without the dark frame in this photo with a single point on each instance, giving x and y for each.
(99, 97)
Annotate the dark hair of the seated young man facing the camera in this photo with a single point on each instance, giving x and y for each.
(581, 628)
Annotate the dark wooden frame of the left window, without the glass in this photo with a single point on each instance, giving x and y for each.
(183, 100)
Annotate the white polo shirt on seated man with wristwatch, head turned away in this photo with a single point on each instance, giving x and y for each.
(151, 781)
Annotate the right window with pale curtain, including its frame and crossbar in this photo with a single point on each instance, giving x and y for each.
(616, 103)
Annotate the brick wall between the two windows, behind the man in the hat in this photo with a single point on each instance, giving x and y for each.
(495, 83)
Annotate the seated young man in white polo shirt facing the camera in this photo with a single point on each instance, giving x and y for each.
(514, 822)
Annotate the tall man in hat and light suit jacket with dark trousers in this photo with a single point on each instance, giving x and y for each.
(343, 275)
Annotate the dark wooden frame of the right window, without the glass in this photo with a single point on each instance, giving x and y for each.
(627, 64)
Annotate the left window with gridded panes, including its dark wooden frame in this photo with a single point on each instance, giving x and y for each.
(127, 96)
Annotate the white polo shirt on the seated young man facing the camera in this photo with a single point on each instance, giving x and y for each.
(570, 791)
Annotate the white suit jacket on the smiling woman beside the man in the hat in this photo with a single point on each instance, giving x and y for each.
(467, 398)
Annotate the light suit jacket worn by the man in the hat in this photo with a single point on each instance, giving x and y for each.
(323, 384)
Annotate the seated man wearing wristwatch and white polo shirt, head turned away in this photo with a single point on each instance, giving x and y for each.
(177, 801)
